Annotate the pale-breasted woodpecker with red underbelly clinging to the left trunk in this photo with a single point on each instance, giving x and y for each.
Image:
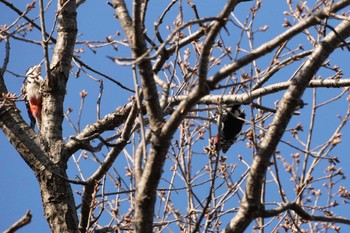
(32, 95)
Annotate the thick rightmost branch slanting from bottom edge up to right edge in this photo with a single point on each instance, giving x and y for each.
(251, 206)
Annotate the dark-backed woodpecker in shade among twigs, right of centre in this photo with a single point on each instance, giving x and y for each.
(231, 126)
